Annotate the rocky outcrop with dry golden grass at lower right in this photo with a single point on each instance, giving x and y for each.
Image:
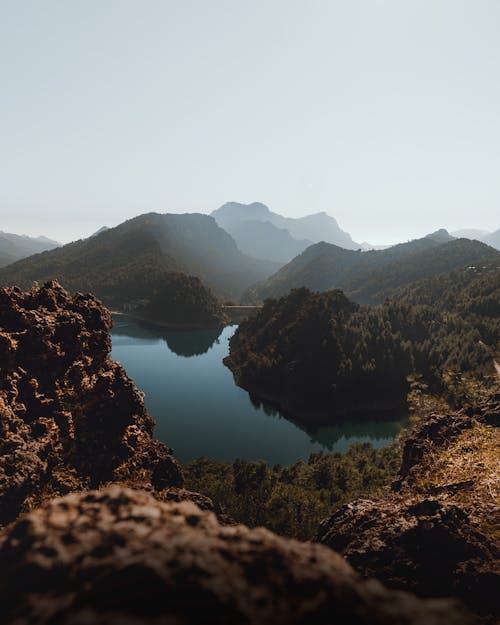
(437, 533)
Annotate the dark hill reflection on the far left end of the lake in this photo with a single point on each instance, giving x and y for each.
(181, 342)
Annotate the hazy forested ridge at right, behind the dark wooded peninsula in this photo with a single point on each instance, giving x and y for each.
(371, 277)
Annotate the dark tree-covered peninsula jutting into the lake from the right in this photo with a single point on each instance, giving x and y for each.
(318, 355)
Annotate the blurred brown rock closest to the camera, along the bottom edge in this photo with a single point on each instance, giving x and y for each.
(121, 556)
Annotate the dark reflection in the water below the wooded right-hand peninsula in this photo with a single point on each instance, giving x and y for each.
(373, 429)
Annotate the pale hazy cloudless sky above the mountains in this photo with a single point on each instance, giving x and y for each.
(384, 113)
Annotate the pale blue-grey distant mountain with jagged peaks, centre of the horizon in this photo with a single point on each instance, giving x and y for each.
(279, 238)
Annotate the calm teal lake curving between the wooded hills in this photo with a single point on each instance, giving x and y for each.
(199, 411)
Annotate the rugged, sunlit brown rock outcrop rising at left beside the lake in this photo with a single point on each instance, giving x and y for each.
(70, 418)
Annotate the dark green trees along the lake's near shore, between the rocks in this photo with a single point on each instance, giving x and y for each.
(293, 500)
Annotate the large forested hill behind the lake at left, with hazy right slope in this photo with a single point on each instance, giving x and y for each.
(140, 249)
